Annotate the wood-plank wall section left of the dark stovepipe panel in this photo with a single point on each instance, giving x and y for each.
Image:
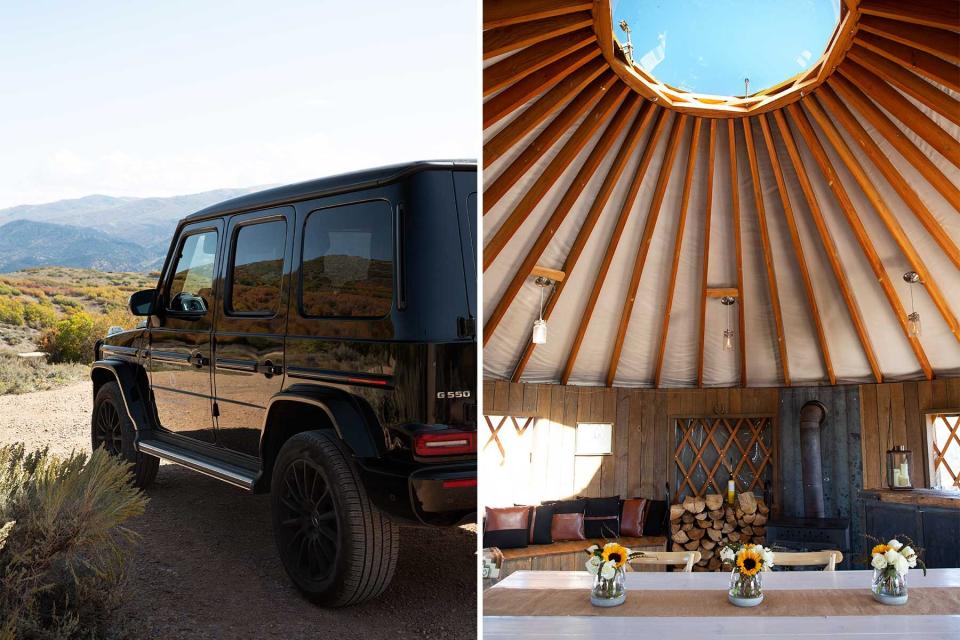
(643, 442)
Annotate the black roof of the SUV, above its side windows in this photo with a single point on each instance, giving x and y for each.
(328, 186)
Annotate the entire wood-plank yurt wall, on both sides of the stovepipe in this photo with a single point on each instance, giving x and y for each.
(643, 439)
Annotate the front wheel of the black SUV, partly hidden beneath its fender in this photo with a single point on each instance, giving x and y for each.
(111, 428)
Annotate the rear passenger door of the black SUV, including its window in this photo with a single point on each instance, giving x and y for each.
(250, 324)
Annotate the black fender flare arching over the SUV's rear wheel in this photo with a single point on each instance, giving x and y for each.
(354, 423)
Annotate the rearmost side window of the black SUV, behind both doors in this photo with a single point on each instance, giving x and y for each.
(347, 266)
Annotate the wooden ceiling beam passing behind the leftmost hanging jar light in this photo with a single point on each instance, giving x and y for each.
(627, 149)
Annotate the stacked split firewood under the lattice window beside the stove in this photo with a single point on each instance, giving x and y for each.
(706, 524)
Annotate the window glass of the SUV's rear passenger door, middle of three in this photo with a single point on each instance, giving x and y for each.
(257, 268)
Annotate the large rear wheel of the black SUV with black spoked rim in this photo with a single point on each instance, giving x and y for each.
(336, 546)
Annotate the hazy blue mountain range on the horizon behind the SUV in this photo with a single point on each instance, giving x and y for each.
(98, 232)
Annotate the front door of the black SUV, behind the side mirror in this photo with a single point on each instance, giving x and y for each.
(180, 348)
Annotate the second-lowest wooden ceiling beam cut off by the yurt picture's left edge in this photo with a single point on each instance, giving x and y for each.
(565, 157)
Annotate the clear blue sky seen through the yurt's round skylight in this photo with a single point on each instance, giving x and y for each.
(710, 46)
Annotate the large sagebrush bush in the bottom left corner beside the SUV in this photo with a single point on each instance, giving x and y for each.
(64, 548)
